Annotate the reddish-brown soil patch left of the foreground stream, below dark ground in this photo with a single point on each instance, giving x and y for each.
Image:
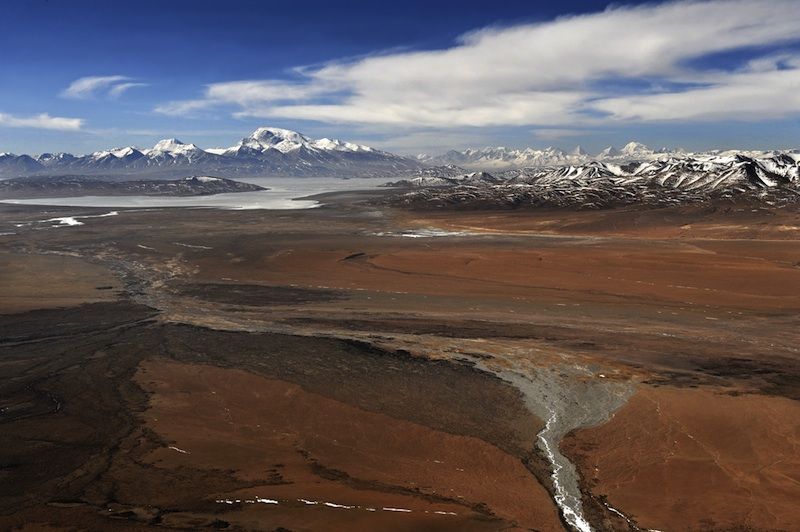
(288, 444)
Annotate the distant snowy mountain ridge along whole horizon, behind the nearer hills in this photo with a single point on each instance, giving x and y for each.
(271, 151)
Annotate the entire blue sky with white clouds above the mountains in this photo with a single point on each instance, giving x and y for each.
(409, 76)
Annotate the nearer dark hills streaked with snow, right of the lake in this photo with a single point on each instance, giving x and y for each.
(772, 176)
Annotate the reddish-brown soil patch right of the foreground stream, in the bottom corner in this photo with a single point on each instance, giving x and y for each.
(678, 459)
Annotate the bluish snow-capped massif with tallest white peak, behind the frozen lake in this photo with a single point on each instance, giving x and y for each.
(267, 151)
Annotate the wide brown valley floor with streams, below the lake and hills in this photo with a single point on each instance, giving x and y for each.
(357, 367)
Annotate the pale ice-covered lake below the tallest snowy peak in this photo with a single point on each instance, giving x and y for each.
(282, 194)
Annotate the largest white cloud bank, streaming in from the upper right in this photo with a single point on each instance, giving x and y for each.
(550, 74)
